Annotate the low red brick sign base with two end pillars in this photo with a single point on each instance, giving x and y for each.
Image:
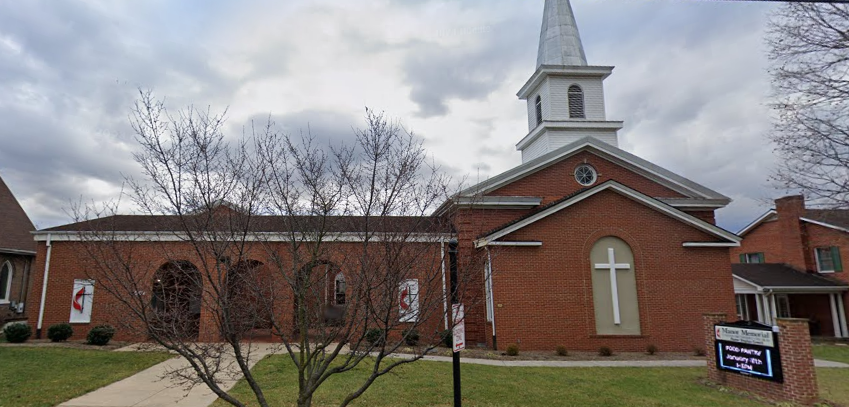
(797, 363)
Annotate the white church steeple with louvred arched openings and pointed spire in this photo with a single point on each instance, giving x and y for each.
(565, 95)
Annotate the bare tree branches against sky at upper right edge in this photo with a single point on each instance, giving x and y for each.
(809, 48)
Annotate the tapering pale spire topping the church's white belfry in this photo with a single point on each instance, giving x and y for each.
(559, 41)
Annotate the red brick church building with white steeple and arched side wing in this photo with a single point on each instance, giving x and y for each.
(586, 245)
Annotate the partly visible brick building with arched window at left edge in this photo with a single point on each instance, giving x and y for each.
(17, 251)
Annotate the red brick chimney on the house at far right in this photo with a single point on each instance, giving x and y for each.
(794, 251)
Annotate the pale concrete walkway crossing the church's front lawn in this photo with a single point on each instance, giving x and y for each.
(148, 389)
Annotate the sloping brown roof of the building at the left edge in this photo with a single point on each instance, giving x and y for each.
(14, 224)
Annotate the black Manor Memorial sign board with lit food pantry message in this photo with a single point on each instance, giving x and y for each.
(749, 349)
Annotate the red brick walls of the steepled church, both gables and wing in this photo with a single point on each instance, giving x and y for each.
(543, 295)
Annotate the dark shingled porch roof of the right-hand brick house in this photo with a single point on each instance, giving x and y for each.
(781, 277)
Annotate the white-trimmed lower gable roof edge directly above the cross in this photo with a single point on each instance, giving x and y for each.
(728, 238)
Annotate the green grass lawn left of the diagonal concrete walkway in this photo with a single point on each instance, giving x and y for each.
(32, 377)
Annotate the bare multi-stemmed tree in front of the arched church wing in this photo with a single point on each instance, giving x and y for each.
(332, 253)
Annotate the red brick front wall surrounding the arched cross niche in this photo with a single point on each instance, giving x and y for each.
(545, 293)
